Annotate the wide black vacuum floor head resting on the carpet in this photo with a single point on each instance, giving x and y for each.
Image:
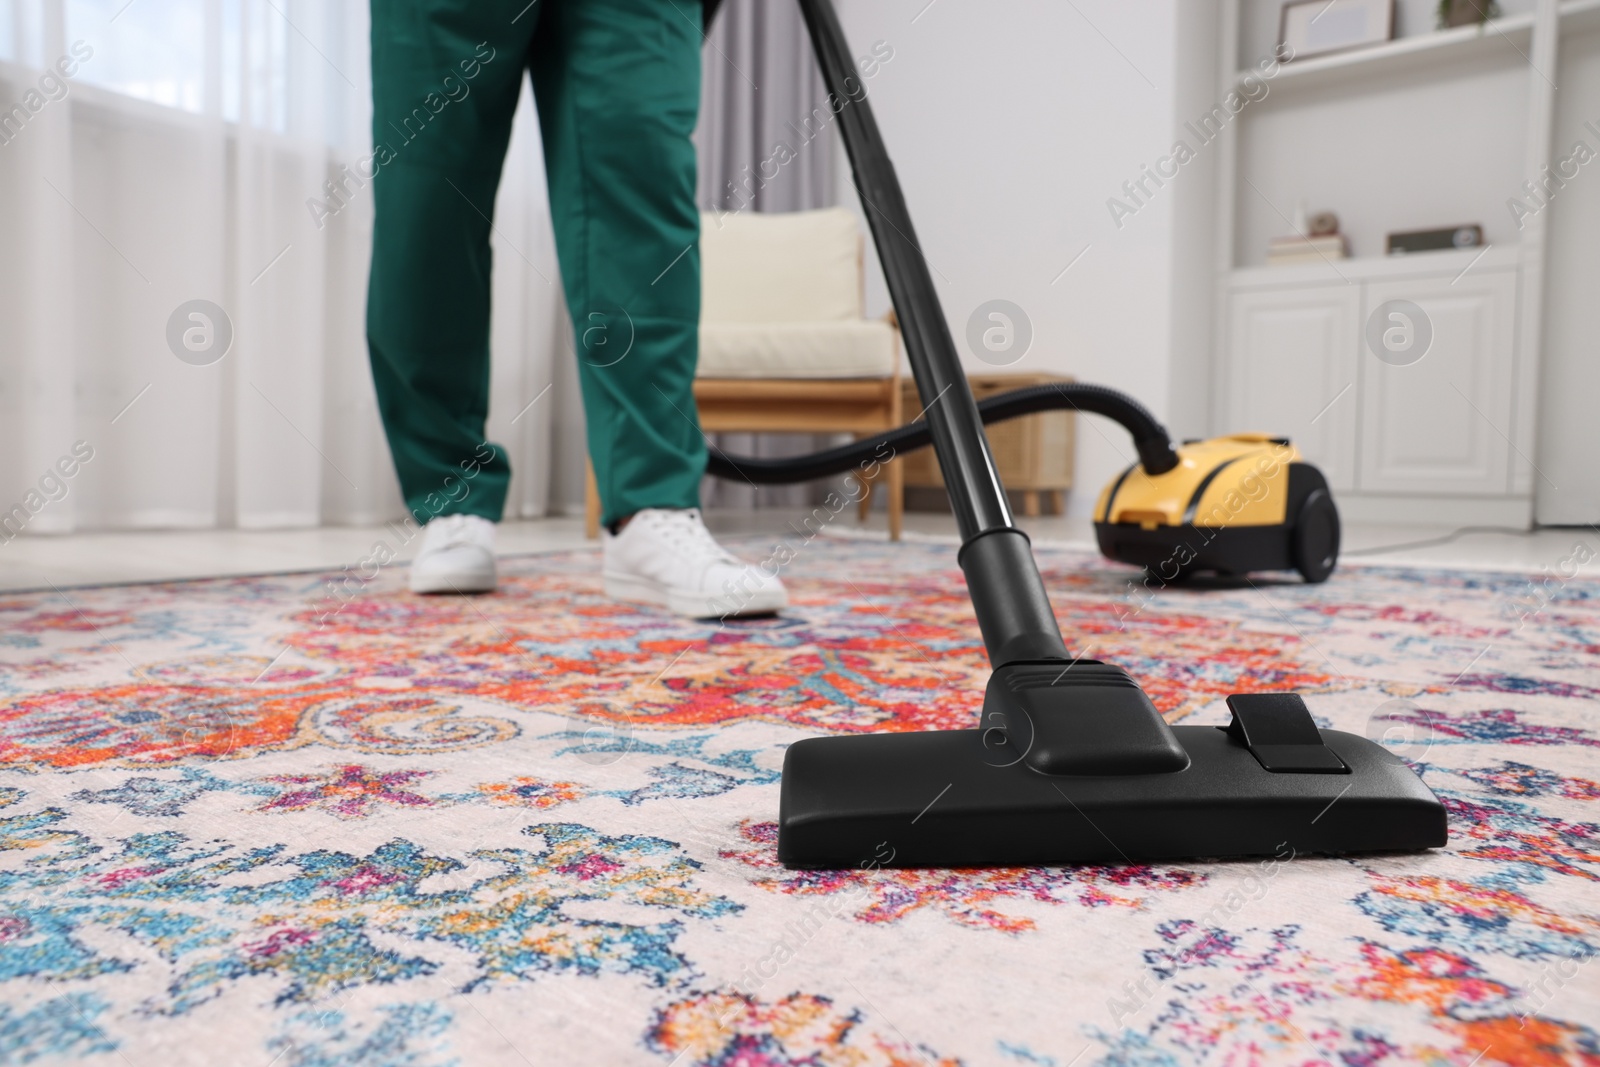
(1074, 765)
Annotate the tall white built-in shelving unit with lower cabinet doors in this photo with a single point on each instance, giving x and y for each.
(1449, 438)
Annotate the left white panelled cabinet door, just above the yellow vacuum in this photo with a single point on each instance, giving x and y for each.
(1292, 372)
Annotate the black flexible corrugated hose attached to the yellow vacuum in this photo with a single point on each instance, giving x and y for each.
(1150, 438)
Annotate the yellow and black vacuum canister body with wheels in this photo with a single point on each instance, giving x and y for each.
(1233, 505)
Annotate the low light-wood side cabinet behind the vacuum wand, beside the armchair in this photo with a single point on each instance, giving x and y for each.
(1034, 454)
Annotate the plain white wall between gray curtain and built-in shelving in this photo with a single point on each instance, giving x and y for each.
(1010, 127)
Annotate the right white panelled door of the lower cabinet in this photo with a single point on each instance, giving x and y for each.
(1442, 423)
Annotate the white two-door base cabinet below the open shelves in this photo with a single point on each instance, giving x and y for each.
(1401, 438)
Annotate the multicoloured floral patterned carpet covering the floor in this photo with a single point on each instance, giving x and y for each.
(257, 823)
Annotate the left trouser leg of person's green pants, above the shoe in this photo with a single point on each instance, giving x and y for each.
(446, 86)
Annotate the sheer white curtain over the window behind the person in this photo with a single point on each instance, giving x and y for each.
(156, 153)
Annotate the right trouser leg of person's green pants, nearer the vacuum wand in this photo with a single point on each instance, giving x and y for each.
(618, 92)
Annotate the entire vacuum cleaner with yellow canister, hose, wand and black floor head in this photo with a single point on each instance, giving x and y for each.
(1071, 762)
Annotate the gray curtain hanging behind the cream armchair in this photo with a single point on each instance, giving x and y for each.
(759, 86)
